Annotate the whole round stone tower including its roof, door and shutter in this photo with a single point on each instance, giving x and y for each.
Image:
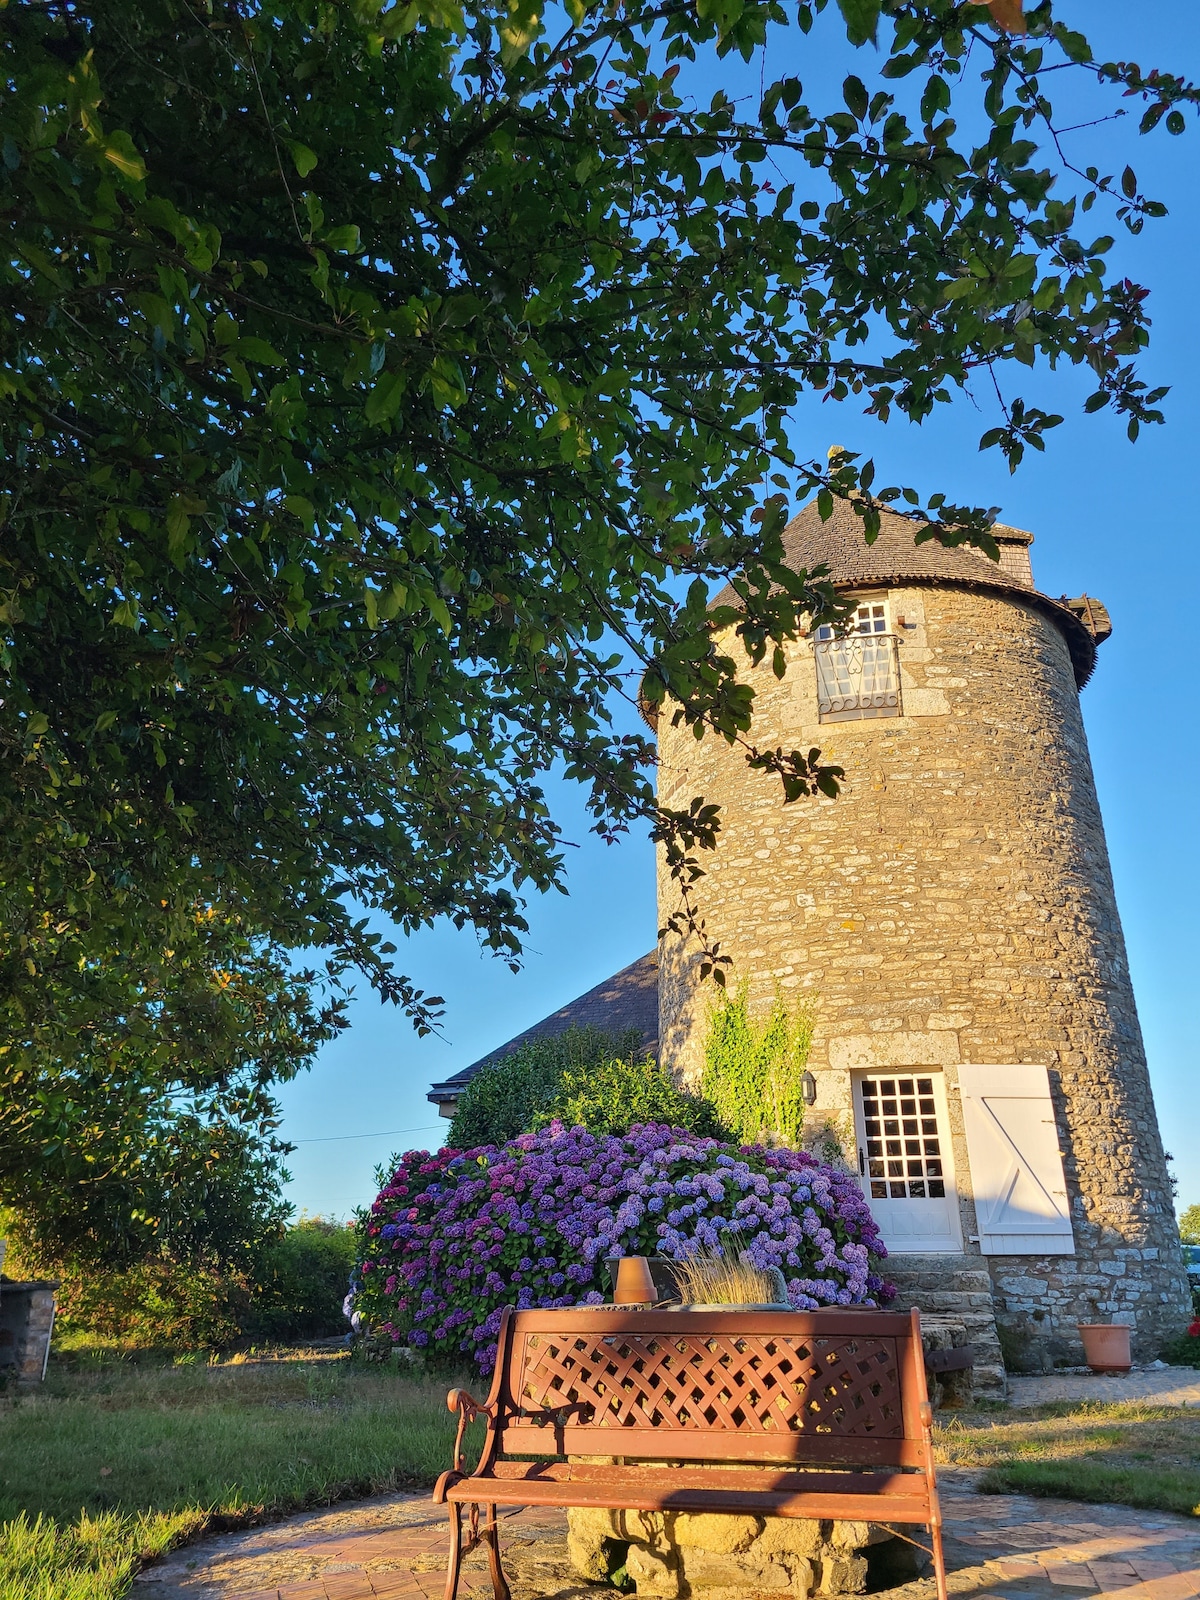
(953, 918)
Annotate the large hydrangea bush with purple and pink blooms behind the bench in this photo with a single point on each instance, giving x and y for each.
(458, 1236)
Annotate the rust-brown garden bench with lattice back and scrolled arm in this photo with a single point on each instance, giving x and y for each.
(818, 1415)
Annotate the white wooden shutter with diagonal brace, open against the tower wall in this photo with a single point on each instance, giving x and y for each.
(1017, 1169)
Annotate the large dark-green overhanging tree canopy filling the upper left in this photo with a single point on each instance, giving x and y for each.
(385, 383)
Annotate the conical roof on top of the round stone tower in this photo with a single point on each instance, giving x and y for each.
(841, 546)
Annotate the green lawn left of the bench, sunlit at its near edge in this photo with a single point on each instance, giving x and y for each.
(114, 1462)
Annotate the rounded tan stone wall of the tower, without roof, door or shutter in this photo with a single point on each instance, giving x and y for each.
(954, 905)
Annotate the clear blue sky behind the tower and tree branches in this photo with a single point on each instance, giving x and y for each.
(1113, 519)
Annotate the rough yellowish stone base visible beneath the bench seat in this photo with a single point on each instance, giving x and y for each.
(678, 1556)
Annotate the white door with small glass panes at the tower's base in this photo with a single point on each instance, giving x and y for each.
(906, 1162)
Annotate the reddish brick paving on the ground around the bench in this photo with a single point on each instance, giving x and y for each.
(999, 1548)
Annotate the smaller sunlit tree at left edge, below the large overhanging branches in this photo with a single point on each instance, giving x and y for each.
(137, 1114)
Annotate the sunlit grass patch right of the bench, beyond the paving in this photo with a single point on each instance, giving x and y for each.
(1129, 1455)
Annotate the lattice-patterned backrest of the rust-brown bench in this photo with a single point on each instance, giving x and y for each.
(710, 1386)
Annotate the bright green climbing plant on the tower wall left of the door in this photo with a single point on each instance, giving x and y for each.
(753, 1070)
